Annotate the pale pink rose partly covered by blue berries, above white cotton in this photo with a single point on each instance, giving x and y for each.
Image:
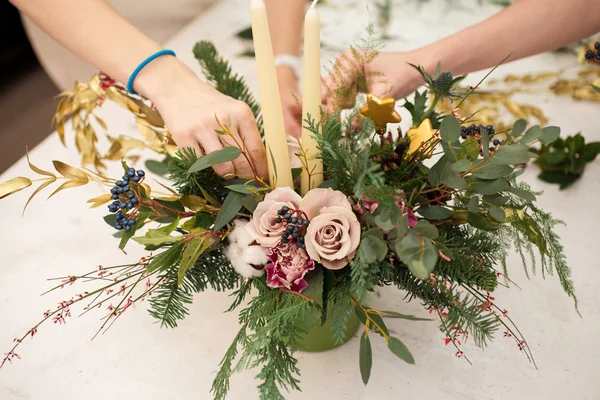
(264, 227)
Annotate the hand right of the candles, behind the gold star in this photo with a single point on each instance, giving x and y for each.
(389, 74)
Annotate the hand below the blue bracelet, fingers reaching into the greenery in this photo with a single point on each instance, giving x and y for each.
(190, 109)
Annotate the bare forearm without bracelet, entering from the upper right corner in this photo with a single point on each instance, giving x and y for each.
(523, 29)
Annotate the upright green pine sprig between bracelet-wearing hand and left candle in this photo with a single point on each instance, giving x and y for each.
(218, 72)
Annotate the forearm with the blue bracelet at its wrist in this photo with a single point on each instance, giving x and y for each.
(98, 34)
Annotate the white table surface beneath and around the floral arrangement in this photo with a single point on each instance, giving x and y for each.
(138, 360)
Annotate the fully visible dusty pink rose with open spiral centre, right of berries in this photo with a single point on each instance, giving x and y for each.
(333, 234)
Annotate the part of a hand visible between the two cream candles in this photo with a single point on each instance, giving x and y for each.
(290, 101)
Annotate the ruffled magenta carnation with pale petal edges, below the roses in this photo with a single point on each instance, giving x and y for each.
(288, 266)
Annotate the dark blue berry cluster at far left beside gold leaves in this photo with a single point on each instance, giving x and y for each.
(124, 200)
